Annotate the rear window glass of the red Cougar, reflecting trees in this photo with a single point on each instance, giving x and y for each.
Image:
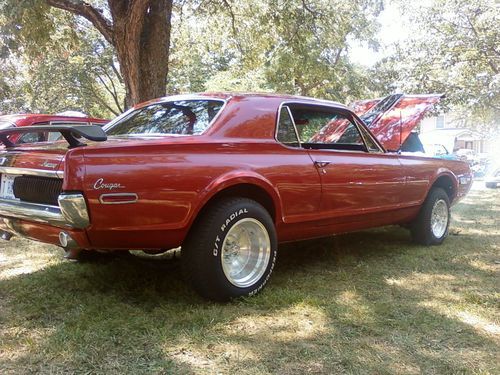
(183, 117)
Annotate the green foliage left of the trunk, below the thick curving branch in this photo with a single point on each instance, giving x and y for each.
(71, 67)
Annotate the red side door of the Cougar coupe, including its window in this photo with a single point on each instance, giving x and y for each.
(357, 177)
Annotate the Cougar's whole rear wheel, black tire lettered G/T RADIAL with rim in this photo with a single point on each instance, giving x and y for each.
(205, 250)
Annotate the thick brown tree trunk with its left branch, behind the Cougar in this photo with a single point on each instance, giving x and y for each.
(140, 33)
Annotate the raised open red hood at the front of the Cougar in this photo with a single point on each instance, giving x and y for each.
(391, 119)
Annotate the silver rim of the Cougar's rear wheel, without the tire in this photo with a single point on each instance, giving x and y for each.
(246, 252)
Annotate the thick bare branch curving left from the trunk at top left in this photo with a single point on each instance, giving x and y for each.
(84, 9)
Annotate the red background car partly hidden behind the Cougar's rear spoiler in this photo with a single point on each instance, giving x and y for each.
(18, 120)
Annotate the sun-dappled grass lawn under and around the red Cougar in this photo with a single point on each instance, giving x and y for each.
(361, 303)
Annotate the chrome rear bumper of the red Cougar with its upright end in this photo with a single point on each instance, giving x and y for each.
(71, 212)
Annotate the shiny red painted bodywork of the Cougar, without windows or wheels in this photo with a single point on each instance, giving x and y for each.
(175, 178)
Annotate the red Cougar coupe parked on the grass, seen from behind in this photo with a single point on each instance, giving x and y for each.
(225, 176)
